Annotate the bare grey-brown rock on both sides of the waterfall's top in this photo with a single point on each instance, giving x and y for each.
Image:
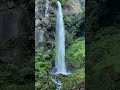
(47, 24)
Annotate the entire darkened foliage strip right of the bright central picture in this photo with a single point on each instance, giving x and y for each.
(102, 45)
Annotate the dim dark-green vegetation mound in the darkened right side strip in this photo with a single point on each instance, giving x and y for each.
(104, 59)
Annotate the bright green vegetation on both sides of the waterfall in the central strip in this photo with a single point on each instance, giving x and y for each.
(75, 51)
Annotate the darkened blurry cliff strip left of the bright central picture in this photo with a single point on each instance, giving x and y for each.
(16, 43)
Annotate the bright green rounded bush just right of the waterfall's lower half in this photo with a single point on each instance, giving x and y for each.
(75, 54)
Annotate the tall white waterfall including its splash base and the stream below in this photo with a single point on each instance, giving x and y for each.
(60, 66)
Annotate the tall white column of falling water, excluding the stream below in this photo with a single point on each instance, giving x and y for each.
(60, 42)
